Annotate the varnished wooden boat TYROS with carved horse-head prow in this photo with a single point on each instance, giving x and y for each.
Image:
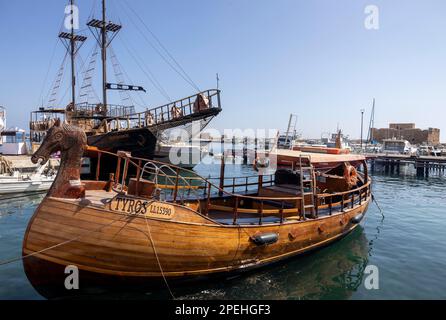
(169, 224)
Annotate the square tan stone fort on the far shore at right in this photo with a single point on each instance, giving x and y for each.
(409, 132)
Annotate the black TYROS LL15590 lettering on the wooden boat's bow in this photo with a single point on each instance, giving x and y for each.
(142, 207)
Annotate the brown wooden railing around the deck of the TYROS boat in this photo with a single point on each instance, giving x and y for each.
(182, 185)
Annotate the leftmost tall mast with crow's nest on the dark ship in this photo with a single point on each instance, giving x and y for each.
(70, 41)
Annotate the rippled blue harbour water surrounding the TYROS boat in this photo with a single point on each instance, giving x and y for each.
(407, 245)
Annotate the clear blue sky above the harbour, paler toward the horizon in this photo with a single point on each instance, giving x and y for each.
(313, 58)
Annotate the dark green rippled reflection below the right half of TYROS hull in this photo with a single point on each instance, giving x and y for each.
(334, 272)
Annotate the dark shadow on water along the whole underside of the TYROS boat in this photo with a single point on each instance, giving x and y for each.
(334, 272)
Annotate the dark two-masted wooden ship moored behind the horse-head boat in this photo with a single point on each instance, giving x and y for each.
(108, 126)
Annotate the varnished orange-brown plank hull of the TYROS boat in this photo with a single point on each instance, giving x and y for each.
(114, 246)
